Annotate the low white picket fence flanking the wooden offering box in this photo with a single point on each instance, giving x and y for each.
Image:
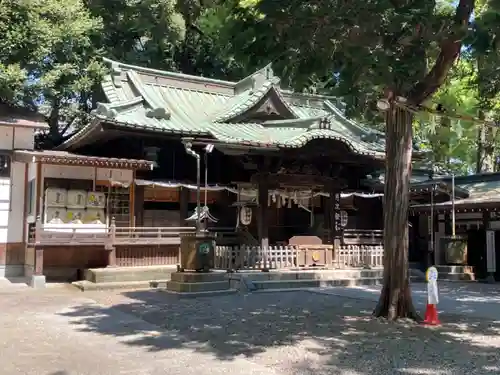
(282, 257)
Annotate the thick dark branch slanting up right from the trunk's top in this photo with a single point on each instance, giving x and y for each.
(450, 49)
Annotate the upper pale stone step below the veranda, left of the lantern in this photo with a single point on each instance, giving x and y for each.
(124, 274)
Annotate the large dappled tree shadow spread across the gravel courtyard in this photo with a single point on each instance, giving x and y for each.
(296, 332)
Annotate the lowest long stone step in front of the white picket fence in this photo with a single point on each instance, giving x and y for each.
(294, 284)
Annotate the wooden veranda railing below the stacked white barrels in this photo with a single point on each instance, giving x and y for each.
(89, 234)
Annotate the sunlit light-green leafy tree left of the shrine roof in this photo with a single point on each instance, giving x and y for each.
(48, 55)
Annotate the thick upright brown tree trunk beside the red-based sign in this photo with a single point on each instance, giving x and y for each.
(395, 300)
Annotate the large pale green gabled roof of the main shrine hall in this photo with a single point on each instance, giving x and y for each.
(229, 112)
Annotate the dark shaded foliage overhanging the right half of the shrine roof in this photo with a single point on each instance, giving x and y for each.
(341, 47)
